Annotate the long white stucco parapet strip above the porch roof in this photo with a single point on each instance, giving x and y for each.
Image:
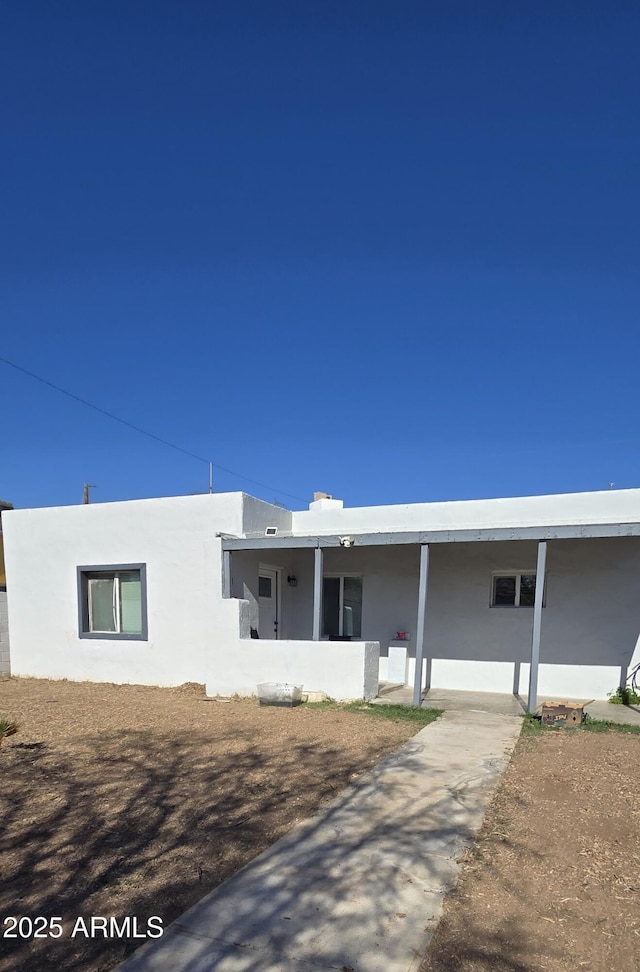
(567, 508)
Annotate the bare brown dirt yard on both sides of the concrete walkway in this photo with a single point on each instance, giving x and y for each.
(134, 801)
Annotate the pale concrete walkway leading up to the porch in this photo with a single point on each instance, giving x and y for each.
(360, 886)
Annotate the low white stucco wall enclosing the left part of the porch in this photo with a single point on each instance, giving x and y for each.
(344, 670)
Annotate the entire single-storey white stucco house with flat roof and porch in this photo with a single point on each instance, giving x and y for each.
(530, 595)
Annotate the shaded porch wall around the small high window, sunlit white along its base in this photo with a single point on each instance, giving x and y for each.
(590, 621)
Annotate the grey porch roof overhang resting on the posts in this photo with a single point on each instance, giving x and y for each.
(566, 532)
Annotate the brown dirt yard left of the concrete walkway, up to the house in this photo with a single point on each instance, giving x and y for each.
(135, 801)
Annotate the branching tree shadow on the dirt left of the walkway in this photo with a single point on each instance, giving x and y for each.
(142, 825)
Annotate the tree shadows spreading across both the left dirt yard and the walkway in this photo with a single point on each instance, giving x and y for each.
(144, 824)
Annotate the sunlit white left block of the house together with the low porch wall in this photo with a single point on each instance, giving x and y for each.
(194, 633)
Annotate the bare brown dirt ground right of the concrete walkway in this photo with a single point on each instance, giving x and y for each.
(554, 883)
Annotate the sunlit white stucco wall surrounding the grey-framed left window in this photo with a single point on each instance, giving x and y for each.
(175, 537)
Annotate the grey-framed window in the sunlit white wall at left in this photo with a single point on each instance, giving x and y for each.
(113, 602)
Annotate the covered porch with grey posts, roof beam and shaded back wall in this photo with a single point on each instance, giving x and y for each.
(465, 598)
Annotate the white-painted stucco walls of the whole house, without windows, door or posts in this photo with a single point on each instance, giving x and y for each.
(590, 622)
